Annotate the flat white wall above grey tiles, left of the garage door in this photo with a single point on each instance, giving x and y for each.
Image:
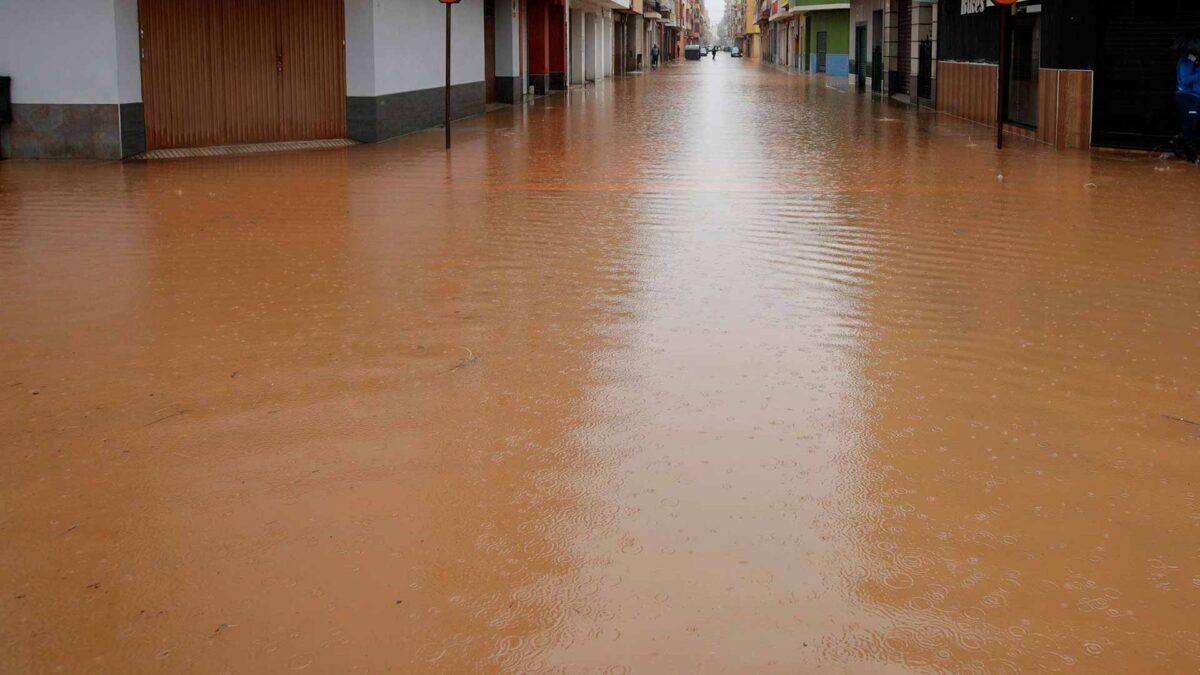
(61, 51)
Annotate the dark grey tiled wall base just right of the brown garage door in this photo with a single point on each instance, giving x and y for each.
(371, 120)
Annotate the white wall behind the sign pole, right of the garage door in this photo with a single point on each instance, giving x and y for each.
(410, 45)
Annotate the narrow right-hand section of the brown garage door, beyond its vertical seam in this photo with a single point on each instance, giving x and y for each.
(313, 88)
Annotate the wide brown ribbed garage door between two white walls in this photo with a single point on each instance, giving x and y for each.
(242, 71)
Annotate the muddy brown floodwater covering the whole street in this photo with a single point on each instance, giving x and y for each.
(716, 369)
